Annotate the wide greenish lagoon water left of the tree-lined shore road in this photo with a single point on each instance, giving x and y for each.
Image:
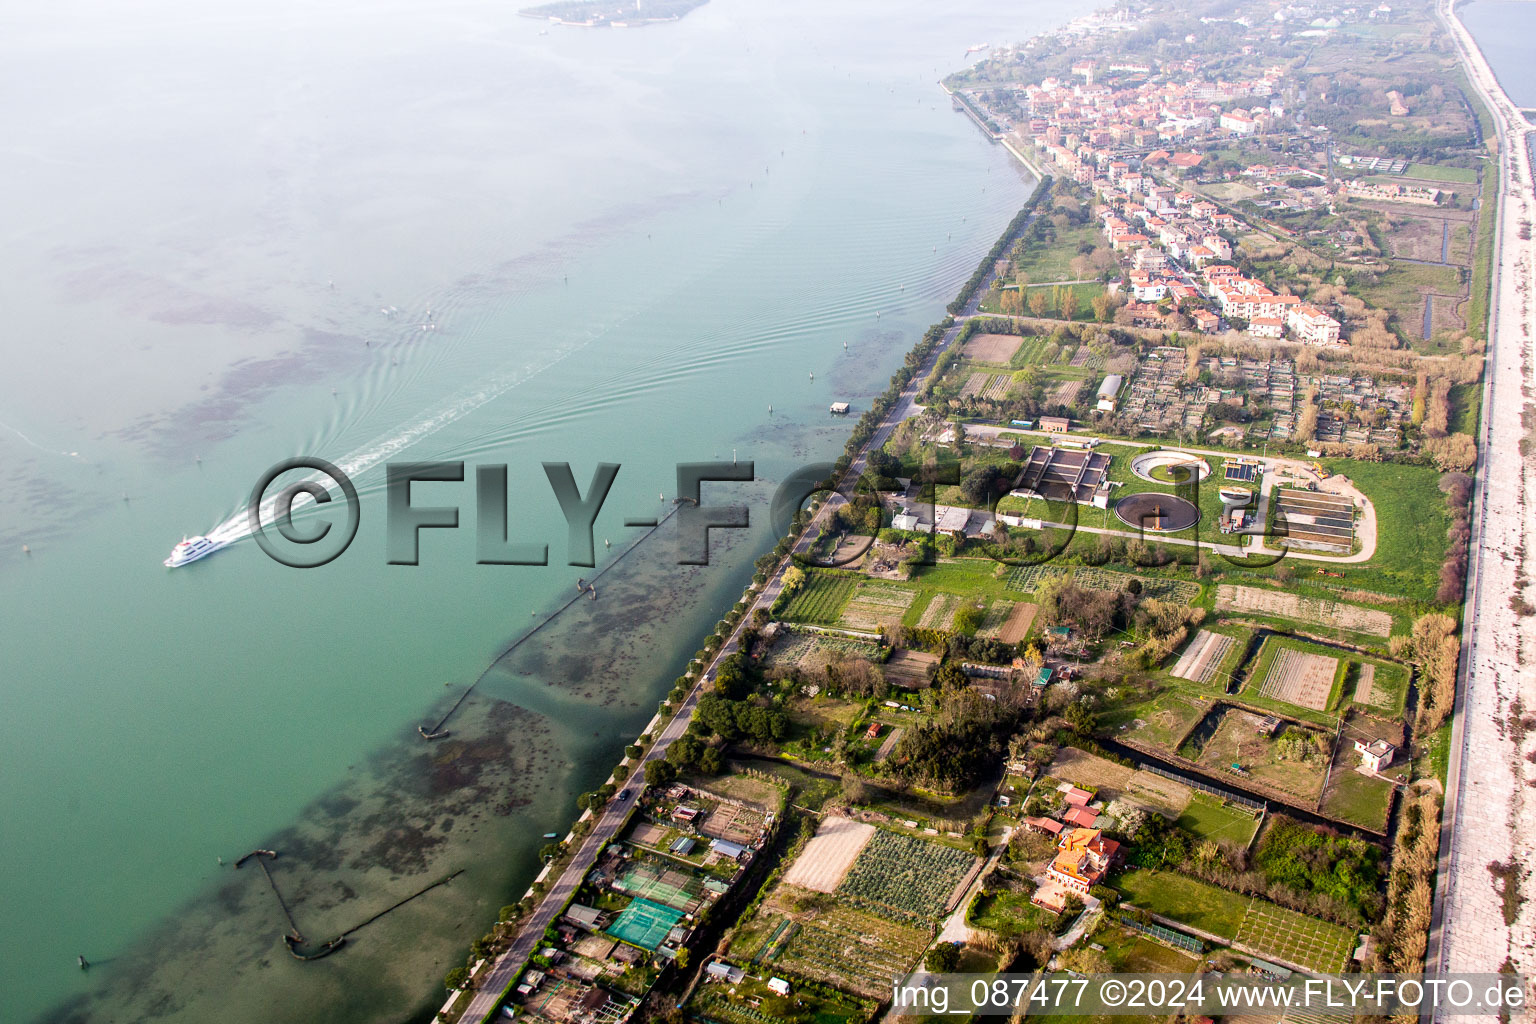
(227, 231)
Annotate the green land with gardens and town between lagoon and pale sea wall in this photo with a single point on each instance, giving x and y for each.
(1137, 647)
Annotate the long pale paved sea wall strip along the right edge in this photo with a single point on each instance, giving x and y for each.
(1489, 811)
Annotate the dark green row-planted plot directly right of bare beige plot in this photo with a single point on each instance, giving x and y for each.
(905, 877)
